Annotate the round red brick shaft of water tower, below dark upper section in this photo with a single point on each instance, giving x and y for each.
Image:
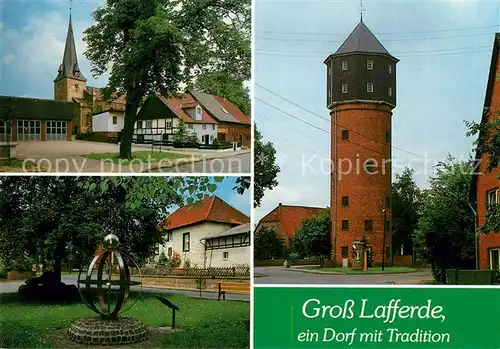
(367, 192)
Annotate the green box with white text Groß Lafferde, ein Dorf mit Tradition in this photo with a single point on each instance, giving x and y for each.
(369, 317)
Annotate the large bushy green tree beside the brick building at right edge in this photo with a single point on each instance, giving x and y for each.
(445, 235)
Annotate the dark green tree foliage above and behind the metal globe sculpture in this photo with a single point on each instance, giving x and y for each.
(51, 218)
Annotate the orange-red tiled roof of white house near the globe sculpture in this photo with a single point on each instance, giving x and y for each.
(211, 209)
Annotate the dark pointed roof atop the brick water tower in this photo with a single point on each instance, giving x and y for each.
(361, 39)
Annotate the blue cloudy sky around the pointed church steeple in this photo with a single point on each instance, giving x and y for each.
(32, 34)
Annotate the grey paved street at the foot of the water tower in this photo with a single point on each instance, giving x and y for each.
(278, 275)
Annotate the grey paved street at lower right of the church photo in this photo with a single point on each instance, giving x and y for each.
(233, 164)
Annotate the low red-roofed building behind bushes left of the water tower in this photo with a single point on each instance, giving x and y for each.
(290, 217)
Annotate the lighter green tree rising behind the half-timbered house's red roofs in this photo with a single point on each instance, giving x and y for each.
(227, 85)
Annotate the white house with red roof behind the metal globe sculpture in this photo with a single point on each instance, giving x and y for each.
(210, 233)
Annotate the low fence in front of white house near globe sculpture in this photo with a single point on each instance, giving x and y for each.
(238, 271)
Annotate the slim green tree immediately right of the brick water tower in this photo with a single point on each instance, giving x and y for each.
(406, 202)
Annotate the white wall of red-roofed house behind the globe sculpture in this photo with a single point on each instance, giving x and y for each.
(196, 254)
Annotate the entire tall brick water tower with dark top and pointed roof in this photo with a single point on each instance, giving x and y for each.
(361, 94)
